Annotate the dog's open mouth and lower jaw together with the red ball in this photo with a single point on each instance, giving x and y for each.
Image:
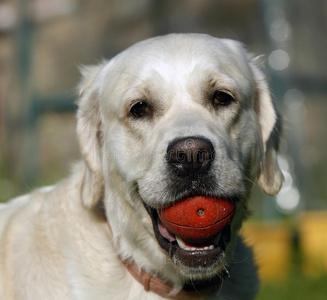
(195, 232)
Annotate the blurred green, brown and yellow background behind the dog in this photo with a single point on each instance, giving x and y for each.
(42, 43)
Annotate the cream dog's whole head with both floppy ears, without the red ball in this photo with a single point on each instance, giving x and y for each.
(171, 118)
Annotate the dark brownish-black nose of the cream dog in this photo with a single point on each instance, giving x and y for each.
(190, 156)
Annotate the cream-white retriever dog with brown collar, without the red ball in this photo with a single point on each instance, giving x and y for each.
(96, 234)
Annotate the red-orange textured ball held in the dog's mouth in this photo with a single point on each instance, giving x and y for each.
(197, 220)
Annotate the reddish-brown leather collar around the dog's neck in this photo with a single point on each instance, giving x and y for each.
(153, 283)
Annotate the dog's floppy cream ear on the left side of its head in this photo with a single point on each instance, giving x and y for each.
(89, 132)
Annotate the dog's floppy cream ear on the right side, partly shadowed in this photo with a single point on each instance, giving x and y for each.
(270, 176)
